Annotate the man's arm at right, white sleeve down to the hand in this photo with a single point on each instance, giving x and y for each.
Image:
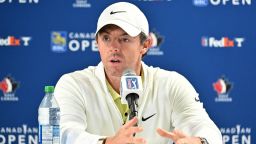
(189, 116)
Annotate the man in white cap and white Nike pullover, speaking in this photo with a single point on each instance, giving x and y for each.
(91, 109)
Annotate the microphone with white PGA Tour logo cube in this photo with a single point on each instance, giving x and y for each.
(130, 91)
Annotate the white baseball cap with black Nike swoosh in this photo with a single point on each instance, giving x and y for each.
(125, 15)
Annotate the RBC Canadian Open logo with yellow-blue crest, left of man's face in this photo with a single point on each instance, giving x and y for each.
(63, 41)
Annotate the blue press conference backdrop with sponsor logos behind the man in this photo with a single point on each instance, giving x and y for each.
(210, 42)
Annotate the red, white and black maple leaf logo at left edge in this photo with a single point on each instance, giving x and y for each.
(8, 86)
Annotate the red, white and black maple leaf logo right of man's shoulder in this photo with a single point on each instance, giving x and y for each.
(223, 87)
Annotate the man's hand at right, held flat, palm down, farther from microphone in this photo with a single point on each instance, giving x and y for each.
(178, 137)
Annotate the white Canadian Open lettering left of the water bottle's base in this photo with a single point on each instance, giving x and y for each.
(21, 134)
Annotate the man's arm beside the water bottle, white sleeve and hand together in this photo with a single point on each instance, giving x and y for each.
(73, 118)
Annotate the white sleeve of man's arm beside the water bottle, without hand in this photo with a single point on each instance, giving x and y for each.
(72, 116)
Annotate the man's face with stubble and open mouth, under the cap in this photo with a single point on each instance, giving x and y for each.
(119, 51)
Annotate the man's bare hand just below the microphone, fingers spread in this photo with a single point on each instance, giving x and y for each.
(125, 134)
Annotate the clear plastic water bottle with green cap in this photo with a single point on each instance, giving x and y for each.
(49, 118)
